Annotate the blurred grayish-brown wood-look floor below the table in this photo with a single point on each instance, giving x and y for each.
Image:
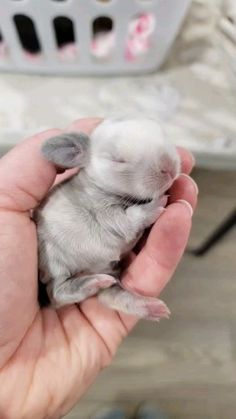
(186, 365)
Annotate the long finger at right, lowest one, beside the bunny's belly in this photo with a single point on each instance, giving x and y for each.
(156, 262)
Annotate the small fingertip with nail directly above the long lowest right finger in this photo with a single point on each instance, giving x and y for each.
(184, 188)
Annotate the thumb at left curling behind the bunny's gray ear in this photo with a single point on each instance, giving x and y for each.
(25, 176)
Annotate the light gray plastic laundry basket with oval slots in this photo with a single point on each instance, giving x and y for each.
(30, 38)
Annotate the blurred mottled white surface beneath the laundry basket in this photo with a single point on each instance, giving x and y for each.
(194, 95)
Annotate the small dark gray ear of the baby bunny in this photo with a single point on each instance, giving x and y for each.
(67, 150)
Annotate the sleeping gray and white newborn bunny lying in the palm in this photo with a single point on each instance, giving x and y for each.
(89, 223)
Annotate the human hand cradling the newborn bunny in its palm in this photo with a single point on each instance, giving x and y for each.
(49, 358)
